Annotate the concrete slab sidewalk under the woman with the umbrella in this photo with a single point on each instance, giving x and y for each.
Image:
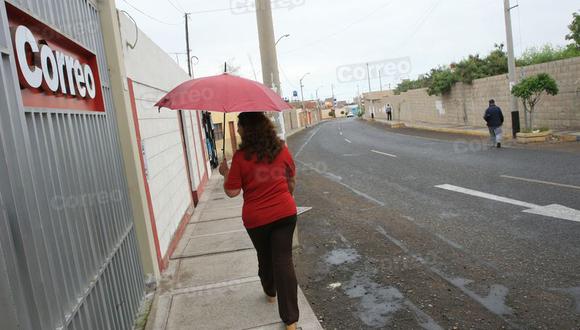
(212, 282)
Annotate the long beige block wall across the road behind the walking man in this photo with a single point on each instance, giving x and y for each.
(466, 103)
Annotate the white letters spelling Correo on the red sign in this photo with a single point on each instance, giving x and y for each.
(58, 72)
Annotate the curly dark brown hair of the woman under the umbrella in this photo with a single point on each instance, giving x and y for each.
(259, 137)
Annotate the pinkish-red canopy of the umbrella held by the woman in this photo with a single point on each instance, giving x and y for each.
(223, 93)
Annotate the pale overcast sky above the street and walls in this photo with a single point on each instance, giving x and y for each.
(328, 34)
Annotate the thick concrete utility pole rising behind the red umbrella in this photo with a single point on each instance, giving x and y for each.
(269, 57)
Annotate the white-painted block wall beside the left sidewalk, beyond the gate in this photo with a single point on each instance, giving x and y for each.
(153, 74)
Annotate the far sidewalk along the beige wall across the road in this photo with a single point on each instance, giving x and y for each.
(564, 136)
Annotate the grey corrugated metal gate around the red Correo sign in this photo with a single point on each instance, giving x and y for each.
(68, 252)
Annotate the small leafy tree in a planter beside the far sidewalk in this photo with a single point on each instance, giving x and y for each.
(530, 90)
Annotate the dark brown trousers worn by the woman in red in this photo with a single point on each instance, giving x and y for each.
(273, 244)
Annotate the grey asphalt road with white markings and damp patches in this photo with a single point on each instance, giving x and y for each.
(436, 231)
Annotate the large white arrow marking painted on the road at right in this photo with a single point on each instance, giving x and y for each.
(553, 211)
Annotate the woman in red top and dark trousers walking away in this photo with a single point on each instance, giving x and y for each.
(264, 169)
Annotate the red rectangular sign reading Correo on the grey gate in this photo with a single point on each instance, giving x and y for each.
(54, 71)
